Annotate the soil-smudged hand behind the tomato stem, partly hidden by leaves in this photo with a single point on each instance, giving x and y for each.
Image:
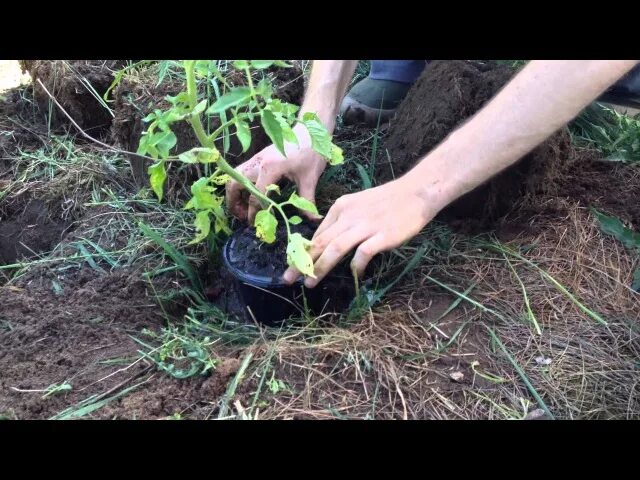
(302, 165)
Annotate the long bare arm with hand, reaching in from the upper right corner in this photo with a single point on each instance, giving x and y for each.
(542, 98)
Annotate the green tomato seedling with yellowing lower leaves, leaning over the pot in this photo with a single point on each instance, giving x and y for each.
(236, 108)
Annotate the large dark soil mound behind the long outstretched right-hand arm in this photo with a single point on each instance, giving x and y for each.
(447, 94)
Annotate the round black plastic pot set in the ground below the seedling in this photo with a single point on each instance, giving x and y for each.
(269, 299)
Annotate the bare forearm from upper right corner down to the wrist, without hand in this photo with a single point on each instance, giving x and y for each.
(536, 103)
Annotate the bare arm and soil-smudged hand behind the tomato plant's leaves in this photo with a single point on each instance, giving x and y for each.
(327, 85)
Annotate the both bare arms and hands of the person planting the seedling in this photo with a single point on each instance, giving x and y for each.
(541, 99)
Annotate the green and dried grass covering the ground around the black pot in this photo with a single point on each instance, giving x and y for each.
(444, 303)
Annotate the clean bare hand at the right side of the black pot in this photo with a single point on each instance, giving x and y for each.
(373, 220)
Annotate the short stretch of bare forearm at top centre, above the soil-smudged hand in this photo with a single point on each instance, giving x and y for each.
(327, 86)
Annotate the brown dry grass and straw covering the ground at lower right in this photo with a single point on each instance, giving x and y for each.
(388, 364)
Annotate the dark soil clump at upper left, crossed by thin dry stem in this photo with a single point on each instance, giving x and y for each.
(64, 80)
